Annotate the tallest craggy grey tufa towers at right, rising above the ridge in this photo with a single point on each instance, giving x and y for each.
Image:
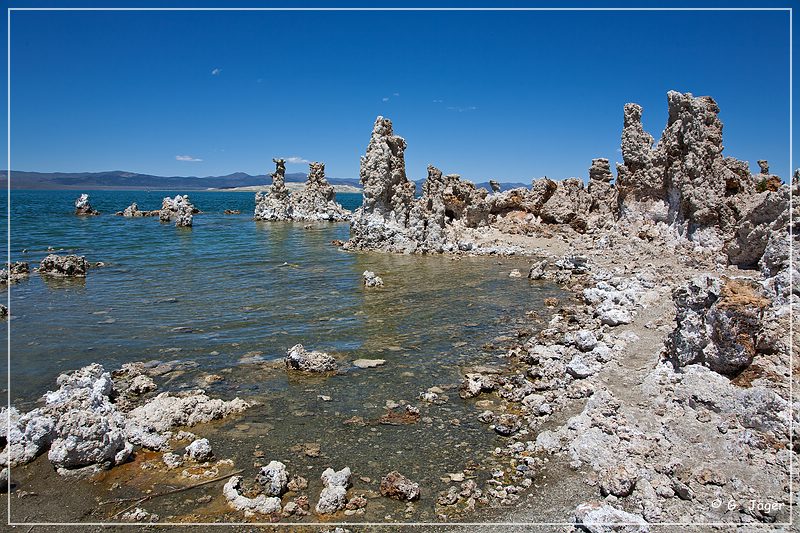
(685, 181)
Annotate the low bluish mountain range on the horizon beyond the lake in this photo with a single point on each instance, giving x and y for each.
(118, 179)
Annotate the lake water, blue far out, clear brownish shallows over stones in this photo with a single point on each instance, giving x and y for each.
(228, 297)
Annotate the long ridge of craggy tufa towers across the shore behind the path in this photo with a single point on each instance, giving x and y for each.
(682, 192)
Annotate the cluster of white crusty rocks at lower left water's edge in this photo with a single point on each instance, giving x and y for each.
(83, 423)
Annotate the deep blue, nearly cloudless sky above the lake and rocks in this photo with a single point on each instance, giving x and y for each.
(510, 96)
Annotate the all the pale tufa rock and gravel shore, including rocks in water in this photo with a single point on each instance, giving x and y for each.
(664, 382)
